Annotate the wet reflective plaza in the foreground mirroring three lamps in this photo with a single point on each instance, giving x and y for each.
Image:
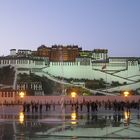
(68, 124)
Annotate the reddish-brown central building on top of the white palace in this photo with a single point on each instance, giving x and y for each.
(58, 52)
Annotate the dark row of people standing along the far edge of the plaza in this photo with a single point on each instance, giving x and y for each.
(89, 106)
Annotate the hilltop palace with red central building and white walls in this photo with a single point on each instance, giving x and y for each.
(72, 62)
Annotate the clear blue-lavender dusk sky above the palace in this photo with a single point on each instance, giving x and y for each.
(90, 24)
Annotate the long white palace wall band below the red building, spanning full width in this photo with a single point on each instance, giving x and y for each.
(76, 71)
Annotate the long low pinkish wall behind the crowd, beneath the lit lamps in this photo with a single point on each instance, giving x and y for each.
(59, 99)
